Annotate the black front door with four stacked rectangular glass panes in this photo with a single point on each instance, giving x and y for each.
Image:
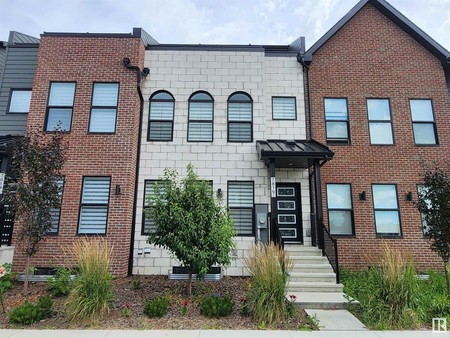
(288, 213)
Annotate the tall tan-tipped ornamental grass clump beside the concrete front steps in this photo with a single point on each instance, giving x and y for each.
(266, 296)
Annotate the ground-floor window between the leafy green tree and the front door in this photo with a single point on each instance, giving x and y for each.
(240, 202)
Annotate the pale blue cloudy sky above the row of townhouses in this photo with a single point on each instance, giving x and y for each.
(208, 21)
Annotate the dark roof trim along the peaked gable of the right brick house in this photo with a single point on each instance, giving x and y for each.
(398, 18)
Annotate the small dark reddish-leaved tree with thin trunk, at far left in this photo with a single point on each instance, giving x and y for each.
(33, 191)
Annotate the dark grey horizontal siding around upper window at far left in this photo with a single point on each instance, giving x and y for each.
(18, 73)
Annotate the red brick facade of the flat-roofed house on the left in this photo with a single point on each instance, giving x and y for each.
(85, 60)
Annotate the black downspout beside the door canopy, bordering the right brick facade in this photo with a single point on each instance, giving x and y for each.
(306, 78)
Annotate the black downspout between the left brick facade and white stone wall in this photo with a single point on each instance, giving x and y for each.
(144, 73)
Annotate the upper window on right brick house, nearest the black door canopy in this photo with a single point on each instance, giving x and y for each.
(336, 120)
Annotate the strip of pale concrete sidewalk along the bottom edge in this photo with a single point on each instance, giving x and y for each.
(213, 334)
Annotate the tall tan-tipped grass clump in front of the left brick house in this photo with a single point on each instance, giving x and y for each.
(90, 296)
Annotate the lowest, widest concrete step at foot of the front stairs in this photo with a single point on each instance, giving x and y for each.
(320, 300)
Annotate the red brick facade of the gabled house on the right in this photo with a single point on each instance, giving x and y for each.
(371, 57)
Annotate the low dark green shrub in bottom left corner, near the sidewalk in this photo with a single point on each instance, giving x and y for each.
(28, 313)
